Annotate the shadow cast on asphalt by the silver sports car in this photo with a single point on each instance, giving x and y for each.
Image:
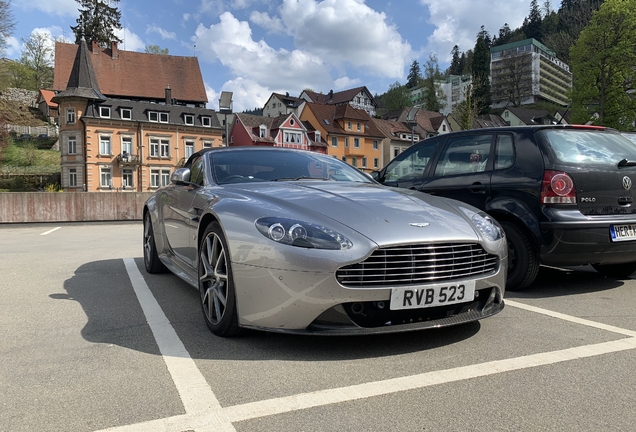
(114, 316)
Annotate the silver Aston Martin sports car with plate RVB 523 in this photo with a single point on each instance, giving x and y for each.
(298, 242)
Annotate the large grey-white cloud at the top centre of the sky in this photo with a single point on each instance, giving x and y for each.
(349, 32)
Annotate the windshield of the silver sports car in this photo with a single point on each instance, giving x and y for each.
(258, 165)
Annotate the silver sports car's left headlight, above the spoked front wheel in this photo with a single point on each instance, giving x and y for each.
(302, 234)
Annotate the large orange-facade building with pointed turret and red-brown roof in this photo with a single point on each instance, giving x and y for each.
(128, 119)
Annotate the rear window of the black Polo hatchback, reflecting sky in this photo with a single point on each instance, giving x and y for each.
(589, 147)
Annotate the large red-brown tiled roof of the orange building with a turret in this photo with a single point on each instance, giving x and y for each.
(134, 74)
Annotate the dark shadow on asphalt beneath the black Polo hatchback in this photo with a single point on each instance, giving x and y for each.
(566, 281)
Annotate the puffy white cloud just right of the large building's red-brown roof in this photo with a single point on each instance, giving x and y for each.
(230, 42)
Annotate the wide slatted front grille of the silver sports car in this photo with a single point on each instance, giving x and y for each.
(418, 264)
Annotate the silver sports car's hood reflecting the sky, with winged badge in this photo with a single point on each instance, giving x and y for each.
(384, 215)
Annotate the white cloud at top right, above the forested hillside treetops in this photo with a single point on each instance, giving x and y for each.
(459, 21)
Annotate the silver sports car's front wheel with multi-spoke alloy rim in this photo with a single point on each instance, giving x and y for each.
(216, 283)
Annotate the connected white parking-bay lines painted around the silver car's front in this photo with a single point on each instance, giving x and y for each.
(204, 413)
